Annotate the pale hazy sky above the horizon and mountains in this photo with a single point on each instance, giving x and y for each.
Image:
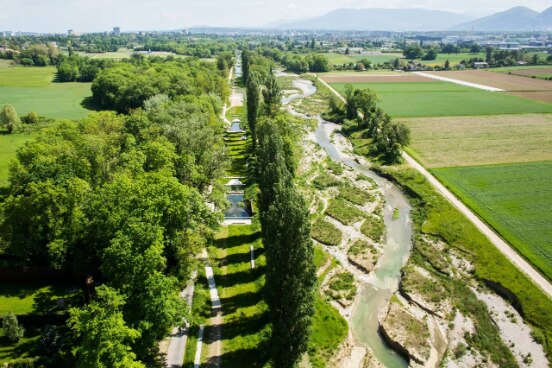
(135, 15)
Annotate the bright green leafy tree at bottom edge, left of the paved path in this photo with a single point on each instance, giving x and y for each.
(104, 338)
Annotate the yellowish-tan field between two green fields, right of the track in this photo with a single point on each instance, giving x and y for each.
(481, 140)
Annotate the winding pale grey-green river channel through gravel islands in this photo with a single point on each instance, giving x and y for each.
(379, 286)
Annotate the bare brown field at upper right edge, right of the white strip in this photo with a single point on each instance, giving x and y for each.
(498, 80)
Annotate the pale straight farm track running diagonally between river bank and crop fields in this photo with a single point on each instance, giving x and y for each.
(495, 239)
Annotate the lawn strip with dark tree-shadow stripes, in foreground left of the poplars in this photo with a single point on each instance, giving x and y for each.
(246, 331)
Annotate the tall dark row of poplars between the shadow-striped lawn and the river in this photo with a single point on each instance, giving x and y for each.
(284, 214)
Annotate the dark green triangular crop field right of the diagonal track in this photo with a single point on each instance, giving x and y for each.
(515, 199)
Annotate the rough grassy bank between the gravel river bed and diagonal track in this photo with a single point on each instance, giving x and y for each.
(436, 216)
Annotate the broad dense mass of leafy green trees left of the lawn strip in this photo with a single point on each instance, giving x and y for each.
(119, 200)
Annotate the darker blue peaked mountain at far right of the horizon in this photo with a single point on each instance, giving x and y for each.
(519, 18)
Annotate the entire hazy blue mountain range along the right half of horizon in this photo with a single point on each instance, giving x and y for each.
(375, 19)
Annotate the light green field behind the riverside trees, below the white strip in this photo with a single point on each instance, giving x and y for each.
(446, 99)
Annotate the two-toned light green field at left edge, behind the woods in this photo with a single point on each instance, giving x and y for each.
(33, 89)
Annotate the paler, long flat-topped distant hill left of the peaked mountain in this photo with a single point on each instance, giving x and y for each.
(378, 20)
